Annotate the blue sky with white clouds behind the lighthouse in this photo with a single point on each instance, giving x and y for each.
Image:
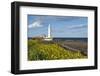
(61, 26)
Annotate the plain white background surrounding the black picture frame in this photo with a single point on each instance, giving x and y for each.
(5, 27)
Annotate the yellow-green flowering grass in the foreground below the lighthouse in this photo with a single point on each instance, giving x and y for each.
(38, 50)
